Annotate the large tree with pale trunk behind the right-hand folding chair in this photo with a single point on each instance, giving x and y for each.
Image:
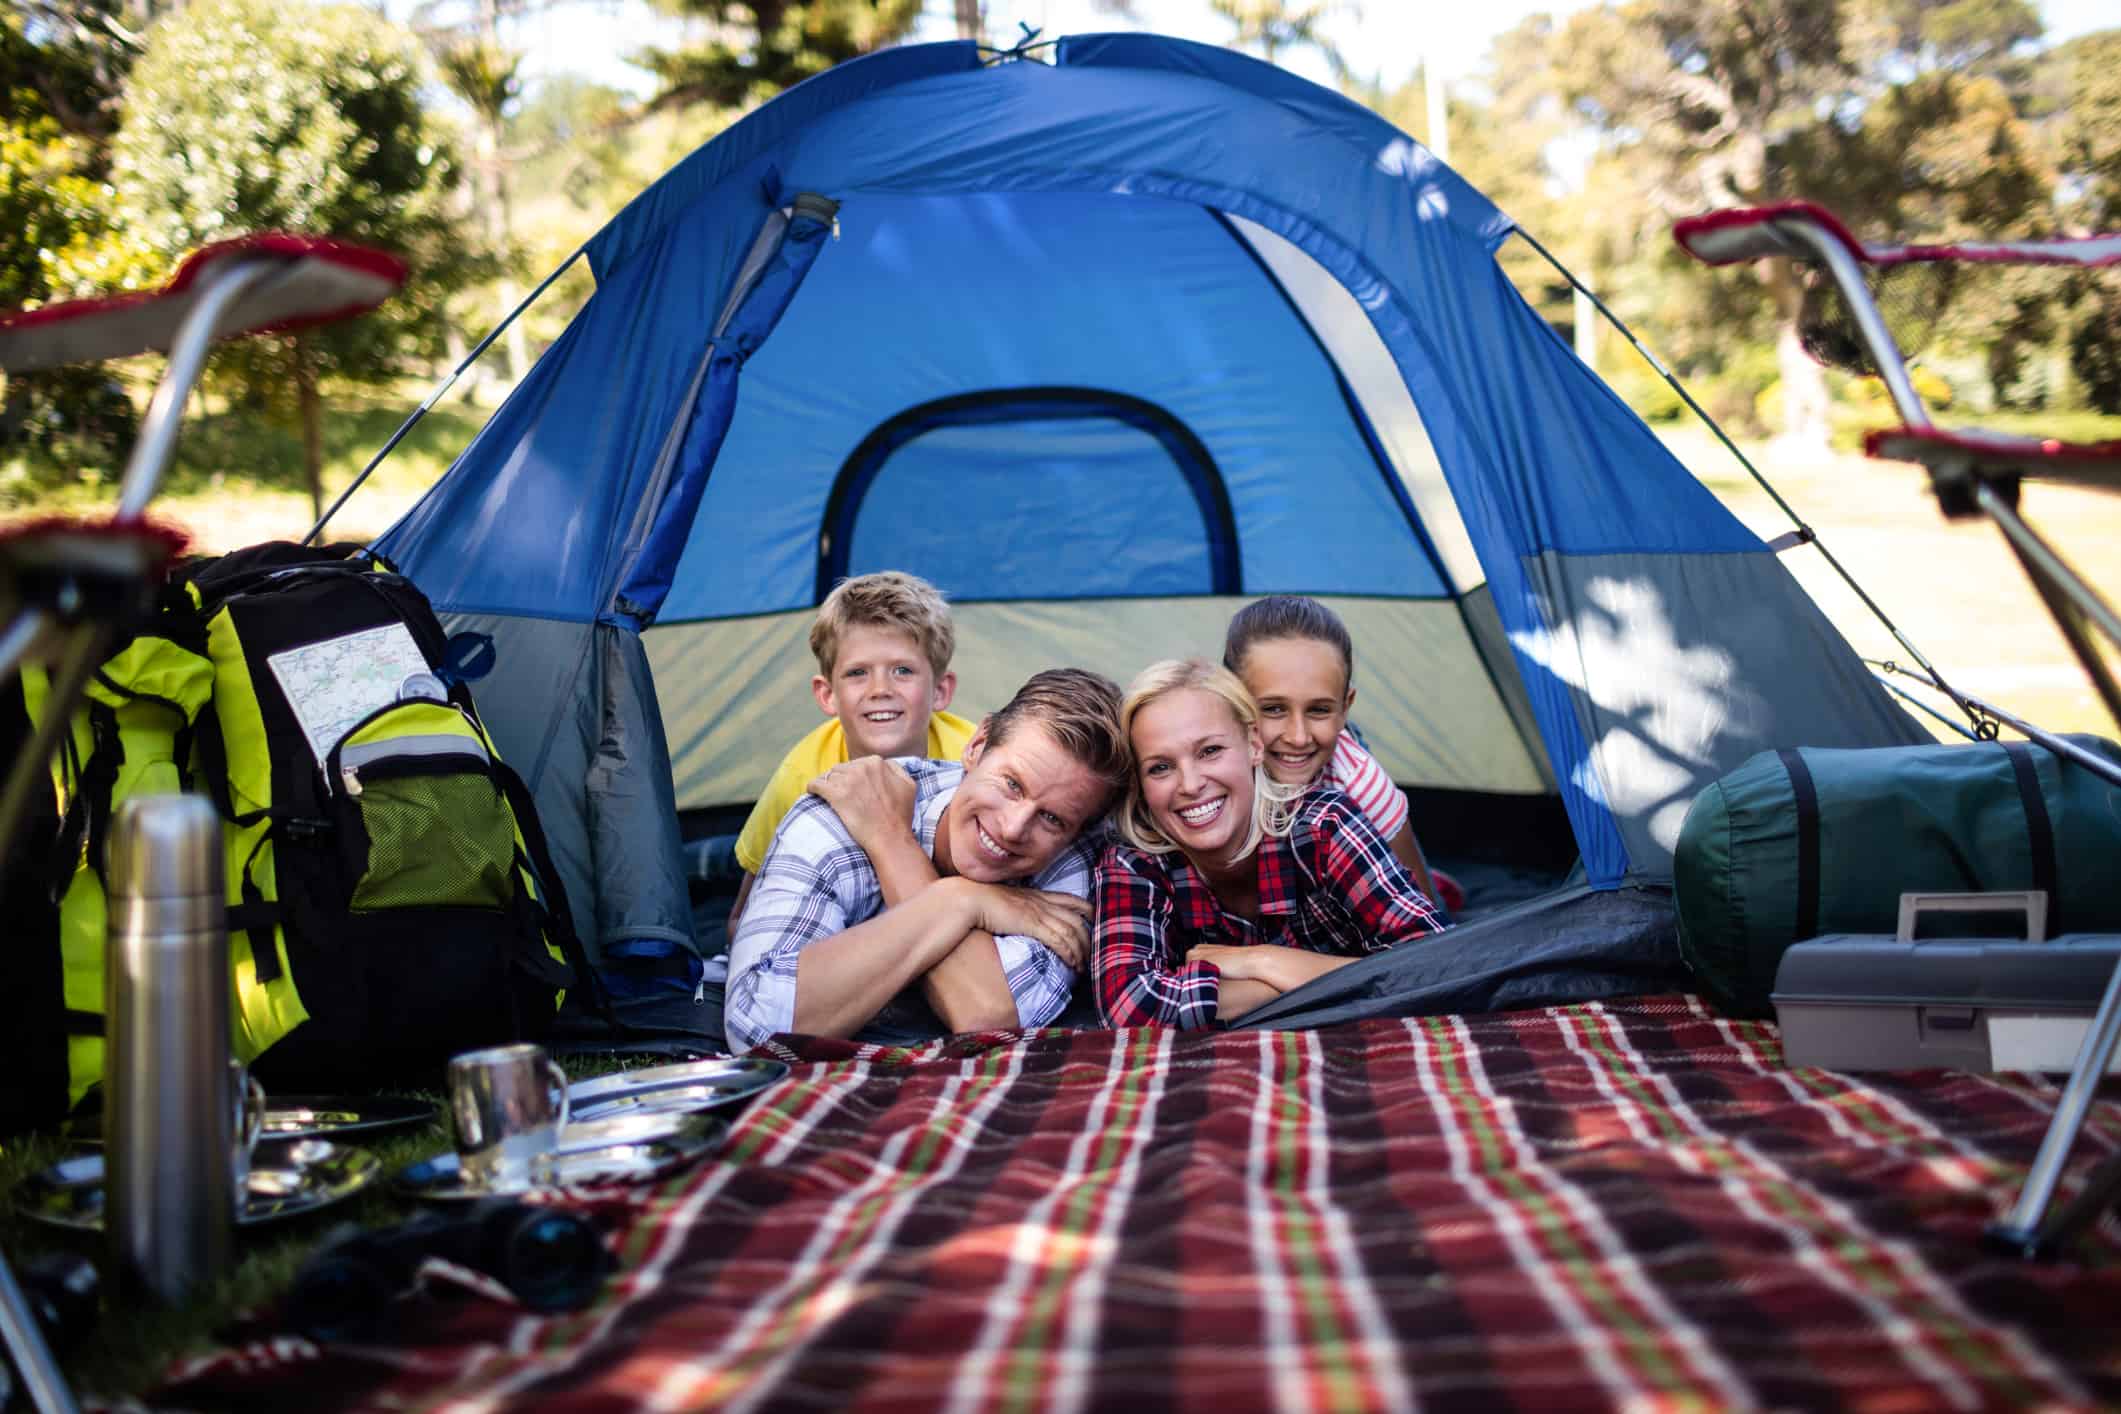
(1897, 113)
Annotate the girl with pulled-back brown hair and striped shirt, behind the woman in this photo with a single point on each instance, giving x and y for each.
(1299, 665)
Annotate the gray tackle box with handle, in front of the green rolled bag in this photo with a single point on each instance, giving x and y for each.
(1889, 1004)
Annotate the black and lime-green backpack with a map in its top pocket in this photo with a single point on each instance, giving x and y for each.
(391, 900)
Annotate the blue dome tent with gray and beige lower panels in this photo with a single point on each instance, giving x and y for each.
(1102, 347)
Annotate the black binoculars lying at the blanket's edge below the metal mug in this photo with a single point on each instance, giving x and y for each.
(548, 1258)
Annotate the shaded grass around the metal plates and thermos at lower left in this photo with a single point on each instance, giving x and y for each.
(135, 1343)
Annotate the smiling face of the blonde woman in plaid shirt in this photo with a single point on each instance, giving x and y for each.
(1195, 762)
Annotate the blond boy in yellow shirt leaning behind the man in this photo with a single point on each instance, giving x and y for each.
(883, 679)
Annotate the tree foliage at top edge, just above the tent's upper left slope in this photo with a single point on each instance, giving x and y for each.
(760, 48)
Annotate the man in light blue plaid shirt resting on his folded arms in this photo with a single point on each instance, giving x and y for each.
(894, 904)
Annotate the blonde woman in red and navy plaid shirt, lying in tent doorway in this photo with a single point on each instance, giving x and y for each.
(1219, 860)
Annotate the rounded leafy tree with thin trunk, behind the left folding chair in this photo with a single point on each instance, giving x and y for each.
(251, 116)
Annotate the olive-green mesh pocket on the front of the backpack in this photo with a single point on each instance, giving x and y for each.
(436, 841)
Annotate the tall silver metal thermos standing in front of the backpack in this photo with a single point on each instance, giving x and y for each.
(169, 1086)
